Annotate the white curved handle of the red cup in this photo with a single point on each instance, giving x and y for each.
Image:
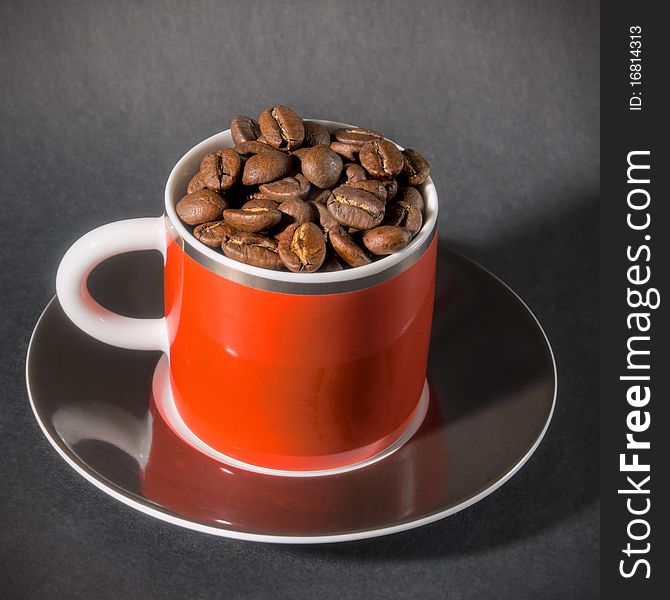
(78, 304)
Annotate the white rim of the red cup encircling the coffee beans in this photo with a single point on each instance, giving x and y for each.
(188, 166)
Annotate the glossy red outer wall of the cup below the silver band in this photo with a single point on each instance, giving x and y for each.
(294, 381)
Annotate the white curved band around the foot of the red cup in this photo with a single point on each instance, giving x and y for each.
(167, 408)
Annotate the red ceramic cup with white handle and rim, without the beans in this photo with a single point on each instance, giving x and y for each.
(279, 370)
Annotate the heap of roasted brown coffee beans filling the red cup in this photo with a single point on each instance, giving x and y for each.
(292, 195)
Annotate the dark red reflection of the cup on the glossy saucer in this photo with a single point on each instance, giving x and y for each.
(220, 494)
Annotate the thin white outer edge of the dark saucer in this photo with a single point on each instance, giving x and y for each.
(164, 515)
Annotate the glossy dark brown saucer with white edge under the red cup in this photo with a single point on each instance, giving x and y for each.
(492, 380)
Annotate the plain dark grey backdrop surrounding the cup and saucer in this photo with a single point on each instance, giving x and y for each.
(99, 101)
